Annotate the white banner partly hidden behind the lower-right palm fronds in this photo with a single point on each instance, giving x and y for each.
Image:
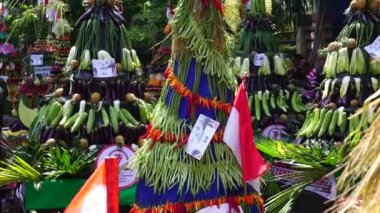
(325, 187)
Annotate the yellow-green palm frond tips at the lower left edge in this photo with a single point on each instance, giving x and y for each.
(17, 170)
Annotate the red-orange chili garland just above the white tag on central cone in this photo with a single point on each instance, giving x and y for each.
(194, 98)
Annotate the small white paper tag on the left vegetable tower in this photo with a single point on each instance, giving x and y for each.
(104, 68)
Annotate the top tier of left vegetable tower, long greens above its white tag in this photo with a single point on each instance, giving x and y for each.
(101, 35)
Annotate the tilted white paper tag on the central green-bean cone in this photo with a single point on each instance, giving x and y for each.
(200, 136)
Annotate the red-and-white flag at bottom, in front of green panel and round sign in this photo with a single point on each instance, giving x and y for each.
(100, 194)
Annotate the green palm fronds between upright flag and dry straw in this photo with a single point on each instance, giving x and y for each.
(313, 163)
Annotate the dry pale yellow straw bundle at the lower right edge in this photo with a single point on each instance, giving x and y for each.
(361, 168)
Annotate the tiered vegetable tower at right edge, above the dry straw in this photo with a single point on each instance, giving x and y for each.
(352, 75)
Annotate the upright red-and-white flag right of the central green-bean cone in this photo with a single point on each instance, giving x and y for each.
(238, 136)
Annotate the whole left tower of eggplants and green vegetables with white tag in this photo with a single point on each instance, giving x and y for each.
(98, 109)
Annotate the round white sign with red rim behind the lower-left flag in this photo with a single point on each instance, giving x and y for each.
(127, 177)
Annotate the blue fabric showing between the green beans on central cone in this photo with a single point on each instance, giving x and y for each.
(145, 197)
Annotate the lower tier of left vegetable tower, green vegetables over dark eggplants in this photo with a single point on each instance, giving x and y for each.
(98, 121)
